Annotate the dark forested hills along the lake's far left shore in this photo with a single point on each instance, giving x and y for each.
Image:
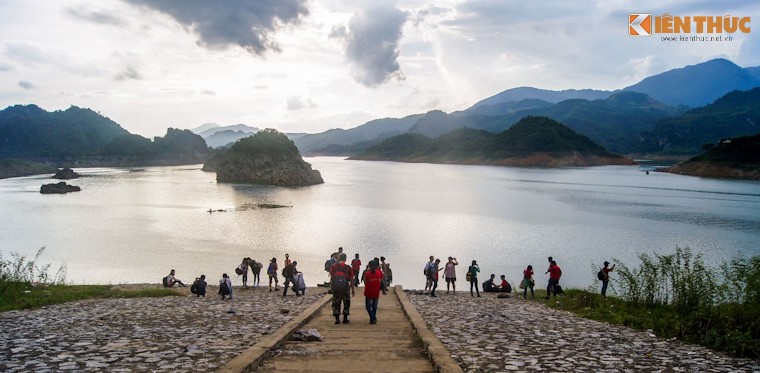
(83, 137)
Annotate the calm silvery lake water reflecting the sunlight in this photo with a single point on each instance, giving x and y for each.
(133, 225)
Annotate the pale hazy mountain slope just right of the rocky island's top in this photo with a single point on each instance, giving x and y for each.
(368, 133)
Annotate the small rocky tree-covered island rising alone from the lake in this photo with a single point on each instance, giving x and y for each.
(268, 157)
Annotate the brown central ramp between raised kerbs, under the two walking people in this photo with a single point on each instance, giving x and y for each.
(391, 345)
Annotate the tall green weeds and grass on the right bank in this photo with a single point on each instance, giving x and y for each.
(678, 296)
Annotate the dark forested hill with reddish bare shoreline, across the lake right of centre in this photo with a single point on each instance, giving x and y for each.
(532, 142)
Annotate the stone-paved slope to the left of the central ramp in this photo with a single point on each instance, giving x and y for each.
(171, 334)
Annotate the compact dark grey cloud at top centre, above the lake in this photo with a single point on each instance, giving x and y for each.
(371, 41)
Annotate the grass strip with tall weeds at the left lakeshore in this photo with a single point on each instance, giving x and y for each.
(24, 285)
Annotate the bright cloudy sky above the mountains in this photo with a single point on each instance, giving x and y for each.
(309, 66)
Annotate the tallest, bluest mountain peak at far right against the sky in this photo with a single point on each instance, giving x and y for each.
(697, 85)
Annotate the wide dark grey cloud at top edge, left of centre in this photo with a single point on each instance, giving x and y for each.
(220, 24)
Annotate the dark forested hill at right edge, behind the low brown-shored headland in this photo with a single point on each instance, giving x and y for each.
(733, 115)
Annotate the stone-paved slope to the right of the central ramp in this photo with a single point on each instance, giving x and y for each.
(498, 335)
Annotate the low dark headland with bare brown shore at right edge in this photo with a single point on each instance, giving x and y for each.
(736, 158)
